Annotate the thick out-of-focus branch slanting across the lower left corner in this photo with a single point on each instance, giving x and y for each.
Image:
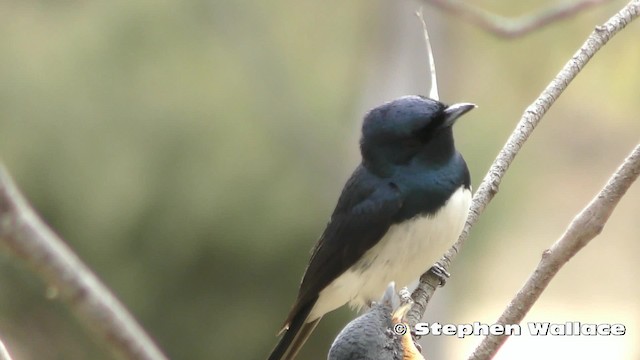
(24, 234)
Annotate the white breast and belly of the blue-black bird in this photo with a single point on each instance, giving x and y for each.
(405, 252)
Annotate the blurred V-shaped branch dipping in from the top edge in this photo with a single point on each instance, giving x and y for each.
(513, 27)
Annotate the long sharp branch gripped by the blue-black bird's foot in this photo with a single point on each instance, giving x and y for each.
(530, 119)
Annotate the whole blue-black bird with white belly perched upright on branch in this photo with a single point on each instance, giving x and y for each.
(400, 210)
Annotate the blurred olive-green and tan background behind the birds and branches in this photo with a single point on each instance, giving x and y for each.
(191, 152)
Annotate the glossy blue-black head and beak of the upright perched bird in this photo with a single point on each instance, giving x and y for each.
(408, 128)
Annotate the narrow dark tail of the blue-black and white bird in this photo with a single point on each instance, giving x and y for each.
(295, 336)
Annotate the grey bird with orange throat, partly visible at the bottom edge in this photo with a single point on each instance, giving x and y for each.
(375, 335)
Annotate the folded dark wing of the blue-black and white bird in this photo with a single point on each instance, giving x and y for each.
(364, 213)
